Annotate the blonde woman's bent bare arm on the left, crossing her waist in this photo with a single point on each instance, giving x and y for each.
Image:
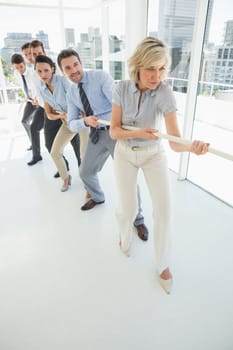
(116, 131)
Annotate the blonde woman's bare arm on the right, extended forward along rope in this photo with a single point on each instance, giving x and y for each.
(197, 147)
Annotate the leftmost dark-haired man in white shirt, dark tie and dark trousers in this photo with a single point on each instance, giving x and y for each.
(33, 116)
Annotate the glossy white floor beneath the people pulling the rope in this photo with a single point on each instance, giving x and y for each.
(66, 286)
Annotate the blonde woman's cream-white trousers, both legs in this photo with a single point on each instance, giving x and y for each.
(153, 162)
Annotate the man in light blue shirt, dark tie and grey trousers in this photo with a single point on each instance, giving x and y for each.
(97, 86)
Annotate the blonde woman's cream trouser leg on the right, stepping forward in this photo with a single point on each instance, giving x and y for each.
(157, 178)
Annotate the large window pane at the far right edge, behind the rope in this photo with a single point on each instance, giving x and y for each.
(214, 108)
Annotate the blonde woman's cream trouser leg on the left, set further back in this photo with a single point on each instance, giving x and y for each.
(126, 179)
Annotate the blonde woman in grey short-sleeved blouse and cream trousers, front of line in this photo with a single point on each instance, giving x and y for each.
(145, 101)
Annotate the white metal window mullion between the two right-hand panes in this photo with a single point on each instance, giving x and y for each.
(195, 63)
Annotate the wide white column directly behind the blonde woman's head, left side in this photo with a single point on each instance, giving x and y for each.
(135, 26)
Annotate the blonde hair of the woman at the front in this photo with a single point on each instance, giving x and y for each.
(150, 52)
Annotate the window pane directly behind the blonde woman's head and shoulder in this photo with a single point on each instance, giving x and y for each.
(173, 22)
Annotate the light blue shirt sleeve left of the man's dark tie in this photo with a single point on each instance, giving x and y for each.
(75, 123)
